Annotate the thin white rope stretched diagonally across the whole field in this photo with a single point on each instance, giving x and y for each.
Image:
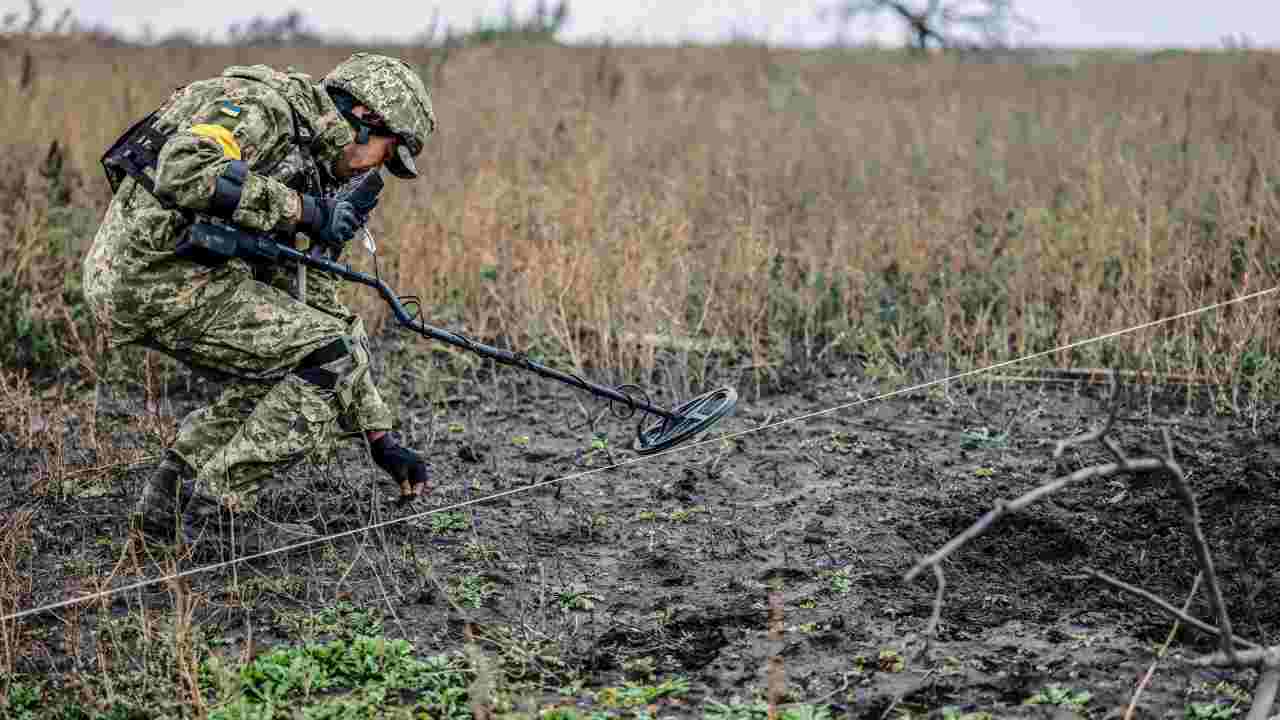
(140, 585)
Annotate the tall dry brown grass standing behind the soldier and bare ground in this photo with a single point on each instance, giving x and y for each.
(790, 203)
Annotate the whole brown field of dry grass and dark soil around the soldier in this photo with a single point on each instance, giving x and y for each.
(808, 226)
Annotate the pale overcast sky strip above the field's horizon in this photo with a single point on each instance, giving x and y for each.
(1133, 24)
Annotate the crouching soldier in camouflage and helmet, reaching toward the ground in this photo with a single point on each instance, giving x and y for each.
(264, 152)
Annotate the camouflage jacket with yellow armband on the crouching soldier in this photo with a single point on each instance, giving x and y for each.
(289, 133)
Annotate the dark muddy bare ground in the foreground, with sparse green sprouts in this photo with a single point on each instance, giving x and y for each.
(666, 566)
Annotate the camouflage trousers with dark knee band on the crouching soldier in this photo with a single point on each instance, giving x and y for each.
(267, 418)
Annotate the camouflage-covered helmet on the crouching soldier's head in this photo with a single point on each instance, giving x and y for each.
(395, 92)
